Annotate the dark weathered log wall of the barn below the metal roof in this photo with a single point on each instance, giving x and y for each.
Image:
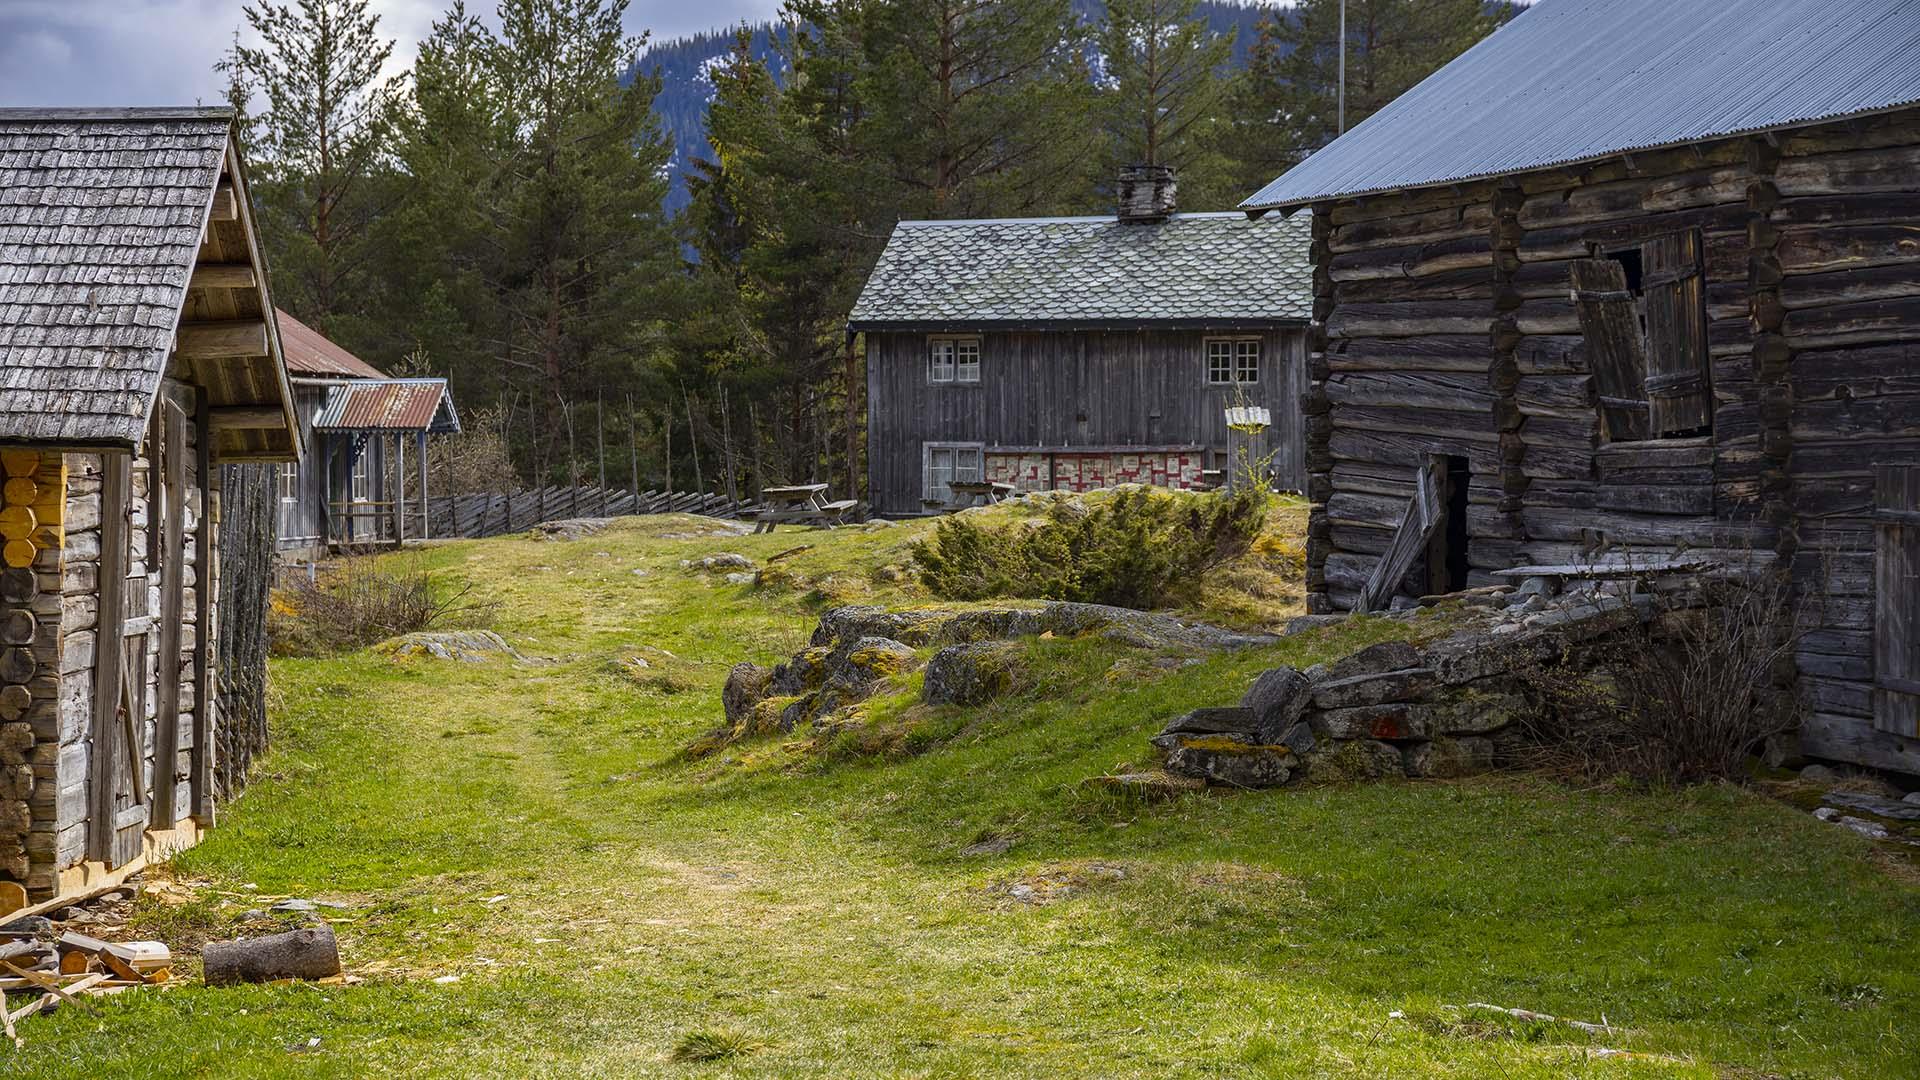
(1445, 326)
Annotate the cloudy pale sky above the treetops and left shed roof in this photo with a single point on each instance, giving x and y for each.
(160, 53)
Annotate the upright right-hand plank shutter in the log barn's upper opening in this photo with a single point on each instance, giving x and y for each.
(1679, 380)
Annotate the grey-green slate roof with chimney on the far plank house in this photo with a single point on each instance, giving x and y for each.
(1092, 272)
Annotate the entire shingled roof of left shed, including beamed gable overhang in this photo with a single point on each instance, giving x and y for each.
(107, 228)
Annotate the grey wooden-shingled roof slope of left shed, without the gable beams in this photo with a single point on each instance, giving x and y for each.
(101, 220)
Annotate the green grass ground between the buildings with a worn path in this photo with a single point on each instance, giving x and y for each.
(779, 912)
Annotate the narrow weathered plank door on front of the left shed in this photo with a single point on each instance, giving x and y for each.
(118, 808)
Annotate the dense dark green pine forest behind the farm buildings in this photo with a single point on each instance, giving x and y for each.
(500, 212)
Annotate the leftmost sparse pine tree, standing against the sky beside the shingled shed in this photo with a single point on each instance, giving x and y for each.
(322, 145)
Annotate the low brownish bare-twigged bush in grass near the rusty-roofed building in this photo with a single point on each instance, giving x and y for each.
(362, 601)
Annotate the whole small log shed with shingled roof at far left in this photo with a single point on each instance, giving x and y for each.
(137, 353)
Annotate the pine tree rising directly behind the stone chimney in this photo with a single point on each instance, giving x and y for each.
(1166, 89)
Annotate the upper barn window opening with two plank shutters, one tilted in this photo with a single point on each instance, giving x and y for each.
(1644, 320)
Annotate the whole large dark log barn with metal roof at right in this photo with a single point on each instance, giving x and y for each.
(1637, 278)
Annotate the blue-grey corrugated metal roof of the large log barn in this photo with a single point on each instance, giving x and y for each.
(1581, 80)
